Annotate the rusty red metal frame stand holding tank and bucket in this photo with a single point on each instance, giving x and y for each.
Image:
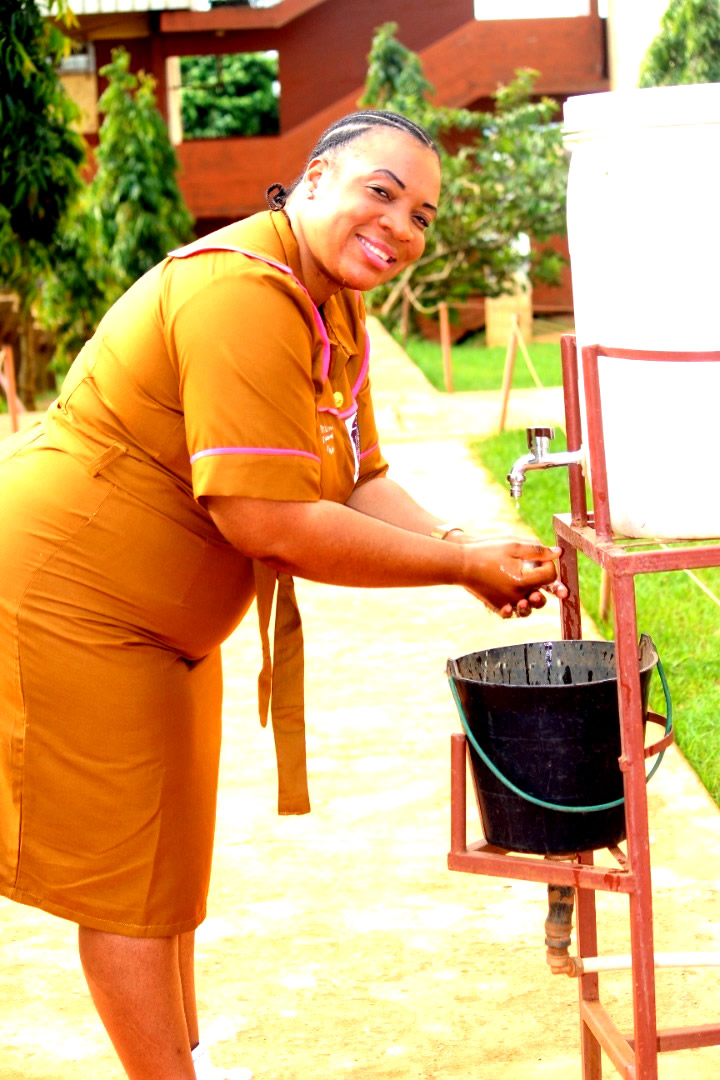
(634, 1057)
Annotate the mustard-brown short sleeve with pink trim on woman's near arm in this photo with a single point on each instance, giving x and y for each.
(244, 350)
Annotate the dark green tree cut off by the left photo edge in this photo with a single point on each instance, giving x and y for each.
(40, 156)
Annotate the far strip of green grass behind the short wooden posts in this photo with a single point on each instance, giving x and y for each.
(479, 368)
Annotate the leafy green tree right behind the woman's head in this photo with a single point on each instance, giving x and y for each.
(509, 180)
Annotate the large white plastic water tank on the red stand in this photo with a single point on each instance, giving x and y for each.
(644, 226)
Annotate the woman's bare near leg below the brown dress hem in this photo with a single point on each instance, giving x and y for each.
(135, 984)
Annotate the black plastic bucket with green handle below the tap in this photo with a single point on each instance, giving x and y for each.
(547, 718)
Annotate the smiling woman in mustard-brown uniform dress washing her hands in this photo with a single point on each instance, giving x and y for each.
(216, 435)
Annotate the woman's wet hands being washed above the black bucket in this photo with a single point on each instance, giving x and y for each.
(509, 574)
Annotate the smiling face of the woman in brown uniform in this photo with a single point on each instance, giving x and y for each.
(361, 217)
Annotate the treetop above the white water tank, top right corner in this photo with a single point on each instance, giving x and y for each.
(688, 47)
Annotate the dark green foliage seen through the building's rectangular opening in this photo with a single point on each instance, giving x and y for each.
(230, 96)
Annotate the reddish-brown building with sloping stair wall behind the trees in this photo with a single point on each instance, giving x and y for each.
(322, 48)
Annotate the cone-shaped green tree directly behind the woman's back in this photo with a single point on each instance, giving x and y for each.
(125, 222)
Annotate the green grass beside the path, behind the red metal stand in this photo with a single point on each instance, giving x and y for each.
(683, 622)
